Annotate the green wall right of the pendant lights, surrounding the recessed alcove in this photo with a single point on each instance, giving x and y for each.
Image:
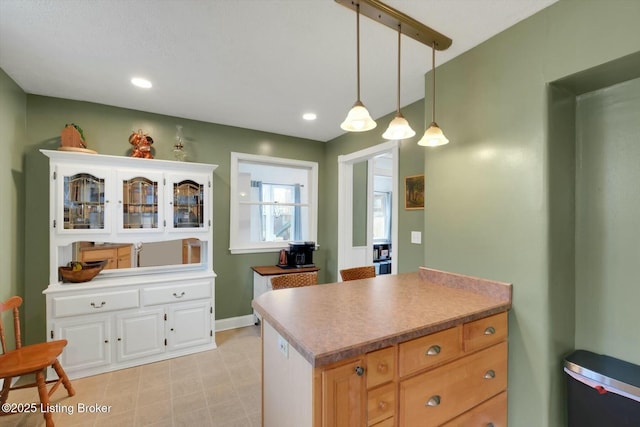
(501, 195)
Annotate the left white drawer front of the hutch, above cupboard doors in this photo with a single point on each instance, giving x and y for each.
(95, 303)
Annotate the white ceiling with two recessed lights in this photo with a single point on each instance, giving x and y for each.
(256, 64)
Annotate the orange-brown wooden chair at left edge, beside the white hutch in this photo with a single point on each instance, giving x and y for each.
(30, 359)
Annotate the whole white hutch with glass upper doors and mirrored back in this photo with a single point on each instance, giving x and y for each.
(146, 311)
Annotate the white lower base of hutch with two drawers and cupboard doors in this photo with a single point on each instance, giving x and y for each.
(106, 333)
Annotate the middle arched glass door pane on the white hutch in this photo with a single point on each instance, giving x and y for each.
(140, 203)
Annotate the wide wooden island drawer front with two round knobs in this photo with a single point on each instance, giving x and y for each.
(437, 396)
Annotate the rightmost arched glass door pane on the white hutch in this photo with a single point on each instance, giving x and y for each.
(188, 204)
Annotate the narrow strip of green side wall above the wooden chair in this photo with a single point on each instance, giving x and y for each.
(13, 136)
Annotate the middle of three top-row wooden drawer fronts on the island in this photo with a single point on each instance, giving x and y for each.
(430, 350)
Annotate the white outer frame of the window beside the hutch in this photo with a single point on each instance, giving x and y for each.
(236, 246)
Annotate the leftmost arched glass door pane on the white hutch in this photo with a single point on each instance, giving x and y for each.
(83, 204)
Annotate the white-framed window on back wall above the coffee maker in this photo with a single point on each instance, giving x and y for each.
(273, 202)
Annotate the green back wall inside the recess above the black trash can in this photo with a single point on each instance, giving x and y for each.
(607, 232)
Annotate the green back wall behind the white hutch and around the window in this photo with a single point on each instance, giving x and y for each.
(107, 130)
